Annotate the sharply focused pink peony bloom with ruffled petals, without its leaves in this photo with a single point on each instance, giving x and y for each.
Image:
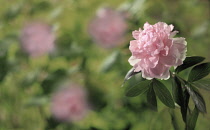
(155, 50)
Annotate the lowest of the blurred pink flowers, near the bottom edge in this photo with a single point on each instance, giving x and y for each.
(70, 104)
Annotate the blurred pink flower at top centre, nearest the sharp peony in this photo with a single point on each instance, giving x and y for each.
(108, 28)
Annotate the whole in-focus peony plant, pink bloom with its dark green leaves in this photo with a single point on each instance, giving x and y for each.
(154, 52)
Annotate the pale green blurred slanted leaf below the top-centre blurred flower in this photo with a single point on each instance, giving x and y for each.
(110, 61)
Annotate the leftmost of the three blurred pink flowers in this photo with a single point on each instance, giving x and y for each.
(37, 39)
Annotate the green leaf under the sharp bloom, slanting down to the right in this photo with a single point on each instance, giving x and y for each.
(163, 93)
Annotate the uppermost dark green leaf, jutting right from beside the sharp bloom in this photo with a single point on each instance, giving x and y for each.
(188, 62)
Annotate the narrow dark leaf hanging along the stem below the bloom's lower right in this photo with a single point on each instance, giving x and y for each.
(177, 92)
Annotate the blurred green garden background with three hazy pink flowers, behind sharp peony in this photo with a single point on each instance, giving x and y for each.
(62, 63)
